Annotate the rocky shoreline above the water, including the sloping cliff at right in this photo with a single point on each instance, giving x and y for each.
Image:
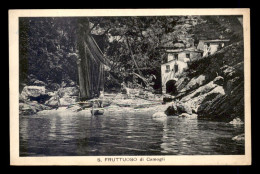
(212, 89)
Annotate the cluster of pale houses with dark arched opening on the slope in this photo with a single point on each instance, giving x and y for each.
(176, 61)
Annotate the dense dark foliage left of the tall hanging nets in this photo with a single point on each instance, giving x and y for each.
(46, 49)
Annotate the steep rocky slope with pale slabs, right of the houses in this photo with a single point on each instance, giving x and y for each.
(214, 86)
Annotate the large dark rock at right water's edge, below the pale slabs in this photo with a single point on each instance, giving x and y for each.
(227, 106)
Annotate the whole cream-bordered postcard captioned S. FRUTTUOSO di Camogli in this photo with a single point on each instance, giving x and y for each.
(131, 89)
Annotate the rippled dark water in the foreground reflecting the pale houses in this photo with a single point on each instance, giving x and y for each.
(124, 133)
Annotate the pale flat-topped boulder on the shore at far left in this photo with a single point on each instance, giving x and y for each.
(32, 91)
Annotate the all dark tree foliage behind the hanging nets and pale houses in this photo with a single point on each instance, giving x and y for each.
(49, 50)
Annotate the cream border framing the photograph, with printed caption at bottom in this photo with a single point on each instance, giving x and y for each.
(92, 160)
